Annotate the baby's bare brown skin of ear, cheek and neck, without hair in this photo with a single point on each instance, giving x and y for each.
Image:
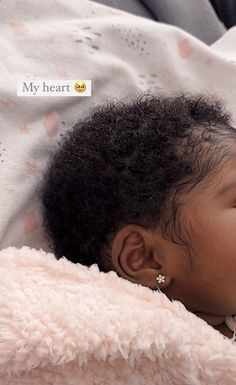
(202, 277)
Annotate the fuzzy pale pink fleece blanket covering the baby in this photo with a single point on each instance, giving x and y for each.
(67, 324)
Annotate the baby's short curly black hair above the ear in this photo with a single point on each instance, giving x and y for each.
(129, 163)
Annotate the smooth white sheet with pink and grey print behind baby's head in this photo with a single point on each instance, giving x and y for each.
(121, 53)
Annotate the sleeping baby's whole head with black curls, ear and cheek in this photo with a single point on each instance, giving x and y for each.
(141, 188)
